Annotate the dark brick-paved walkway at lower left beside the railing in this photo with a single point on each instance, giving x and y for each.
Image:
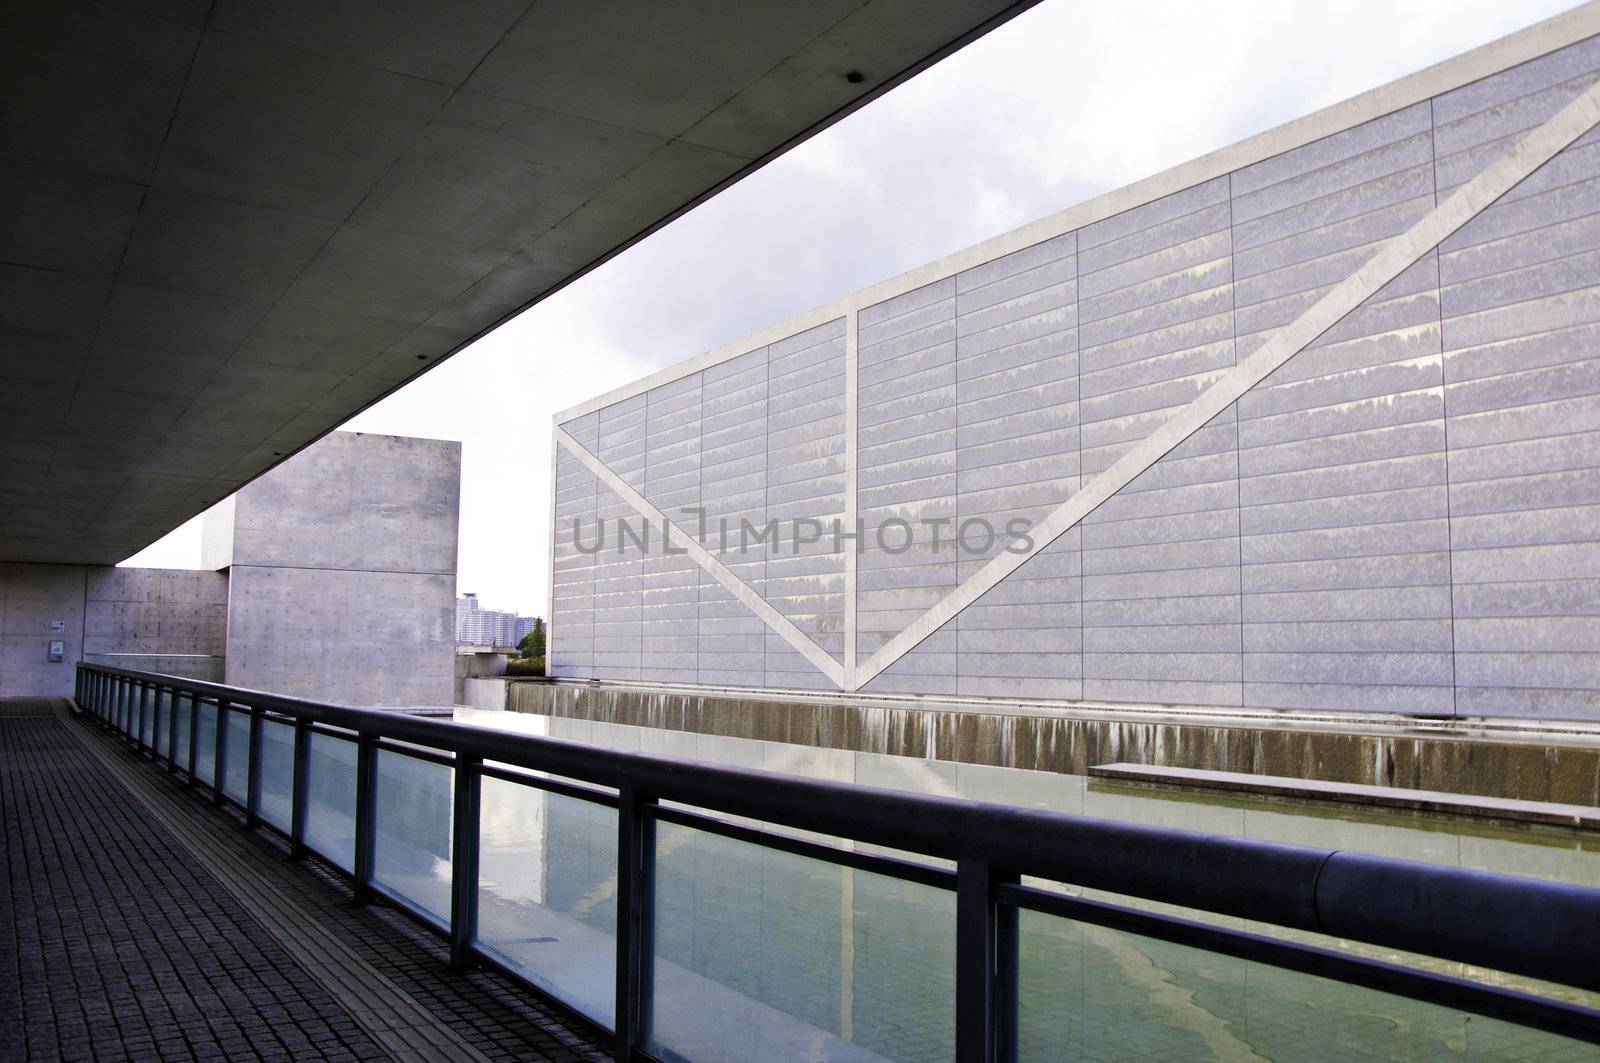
(140, 923)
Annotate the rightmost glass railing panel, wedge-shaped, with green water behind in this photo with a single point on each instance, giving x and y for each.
(1094, 993)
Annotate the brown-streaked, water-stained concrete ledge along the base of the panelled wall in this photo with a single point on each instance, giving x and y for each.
(1449, 756)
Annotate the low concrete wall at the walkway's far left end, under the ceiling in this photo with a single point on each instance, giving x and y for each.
(164, 614)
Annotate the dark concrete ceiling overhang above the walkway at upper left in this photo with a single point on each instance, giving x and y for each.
(233, 225)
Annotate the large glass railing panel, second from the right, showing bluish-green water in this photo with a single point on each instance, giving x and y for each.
(762, 955)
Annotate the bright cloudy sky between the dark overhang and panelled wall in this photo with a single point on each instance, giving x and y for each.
(1071, 100)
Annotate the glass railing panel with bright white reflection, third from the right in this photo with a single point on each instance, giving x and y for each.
(548, 893)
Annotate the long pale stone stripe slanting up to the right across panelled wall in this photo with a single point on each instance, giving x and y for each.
(1498, 179)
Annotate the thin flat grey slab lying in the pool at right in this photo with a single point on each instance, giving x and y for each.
(1542, 812)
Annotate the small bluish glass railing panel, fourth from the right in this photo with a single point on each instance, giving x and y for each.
(414, 822)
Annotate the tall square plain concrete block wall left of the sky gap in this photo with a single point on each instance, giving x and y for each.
(345, 574)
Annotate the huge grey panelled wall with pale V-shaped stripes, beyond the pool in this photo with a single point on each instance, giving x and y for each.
(1402, 518)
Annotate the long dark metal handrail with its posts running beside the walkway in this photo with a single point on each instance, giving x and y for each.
(1530, 928)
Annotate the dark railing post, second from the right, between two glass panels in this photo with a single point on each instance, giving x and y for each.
(636, 865)
